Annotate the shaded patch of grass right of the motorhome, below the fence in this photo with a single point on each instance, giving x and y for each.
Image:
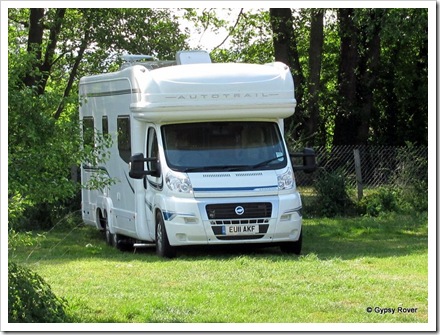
(389, 236)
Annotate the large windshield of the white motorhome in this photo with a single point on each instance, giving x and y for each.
(223, 146)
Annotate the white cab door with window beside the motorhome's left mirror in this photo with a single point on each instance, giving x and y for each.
(154, 184)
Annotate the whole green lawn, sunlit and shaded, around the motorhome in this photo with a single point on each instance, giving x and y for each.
(347, 265)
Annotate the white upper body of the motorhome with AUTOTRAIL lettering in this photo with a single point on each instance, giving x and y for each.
(187, 92)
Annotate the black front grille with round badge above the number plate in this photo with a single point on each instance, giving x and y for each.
(252, 210)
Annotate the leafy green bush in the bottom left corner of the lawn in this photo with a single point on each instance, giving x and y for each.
(30, 298)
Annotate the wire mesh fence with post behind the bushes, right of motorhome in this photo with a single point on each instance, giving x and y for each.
(372, 166)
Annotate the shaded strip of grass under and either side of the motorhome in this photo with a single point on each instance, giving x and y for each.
(344, 238)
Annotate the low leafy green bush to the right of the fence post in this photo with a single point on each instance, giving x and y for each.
(380, 200)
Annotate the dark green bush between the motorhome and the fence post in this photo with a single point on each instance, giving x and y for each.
(331, 195)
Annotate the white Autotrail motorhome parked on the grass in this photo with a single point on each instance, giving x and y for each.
(198, 154)
